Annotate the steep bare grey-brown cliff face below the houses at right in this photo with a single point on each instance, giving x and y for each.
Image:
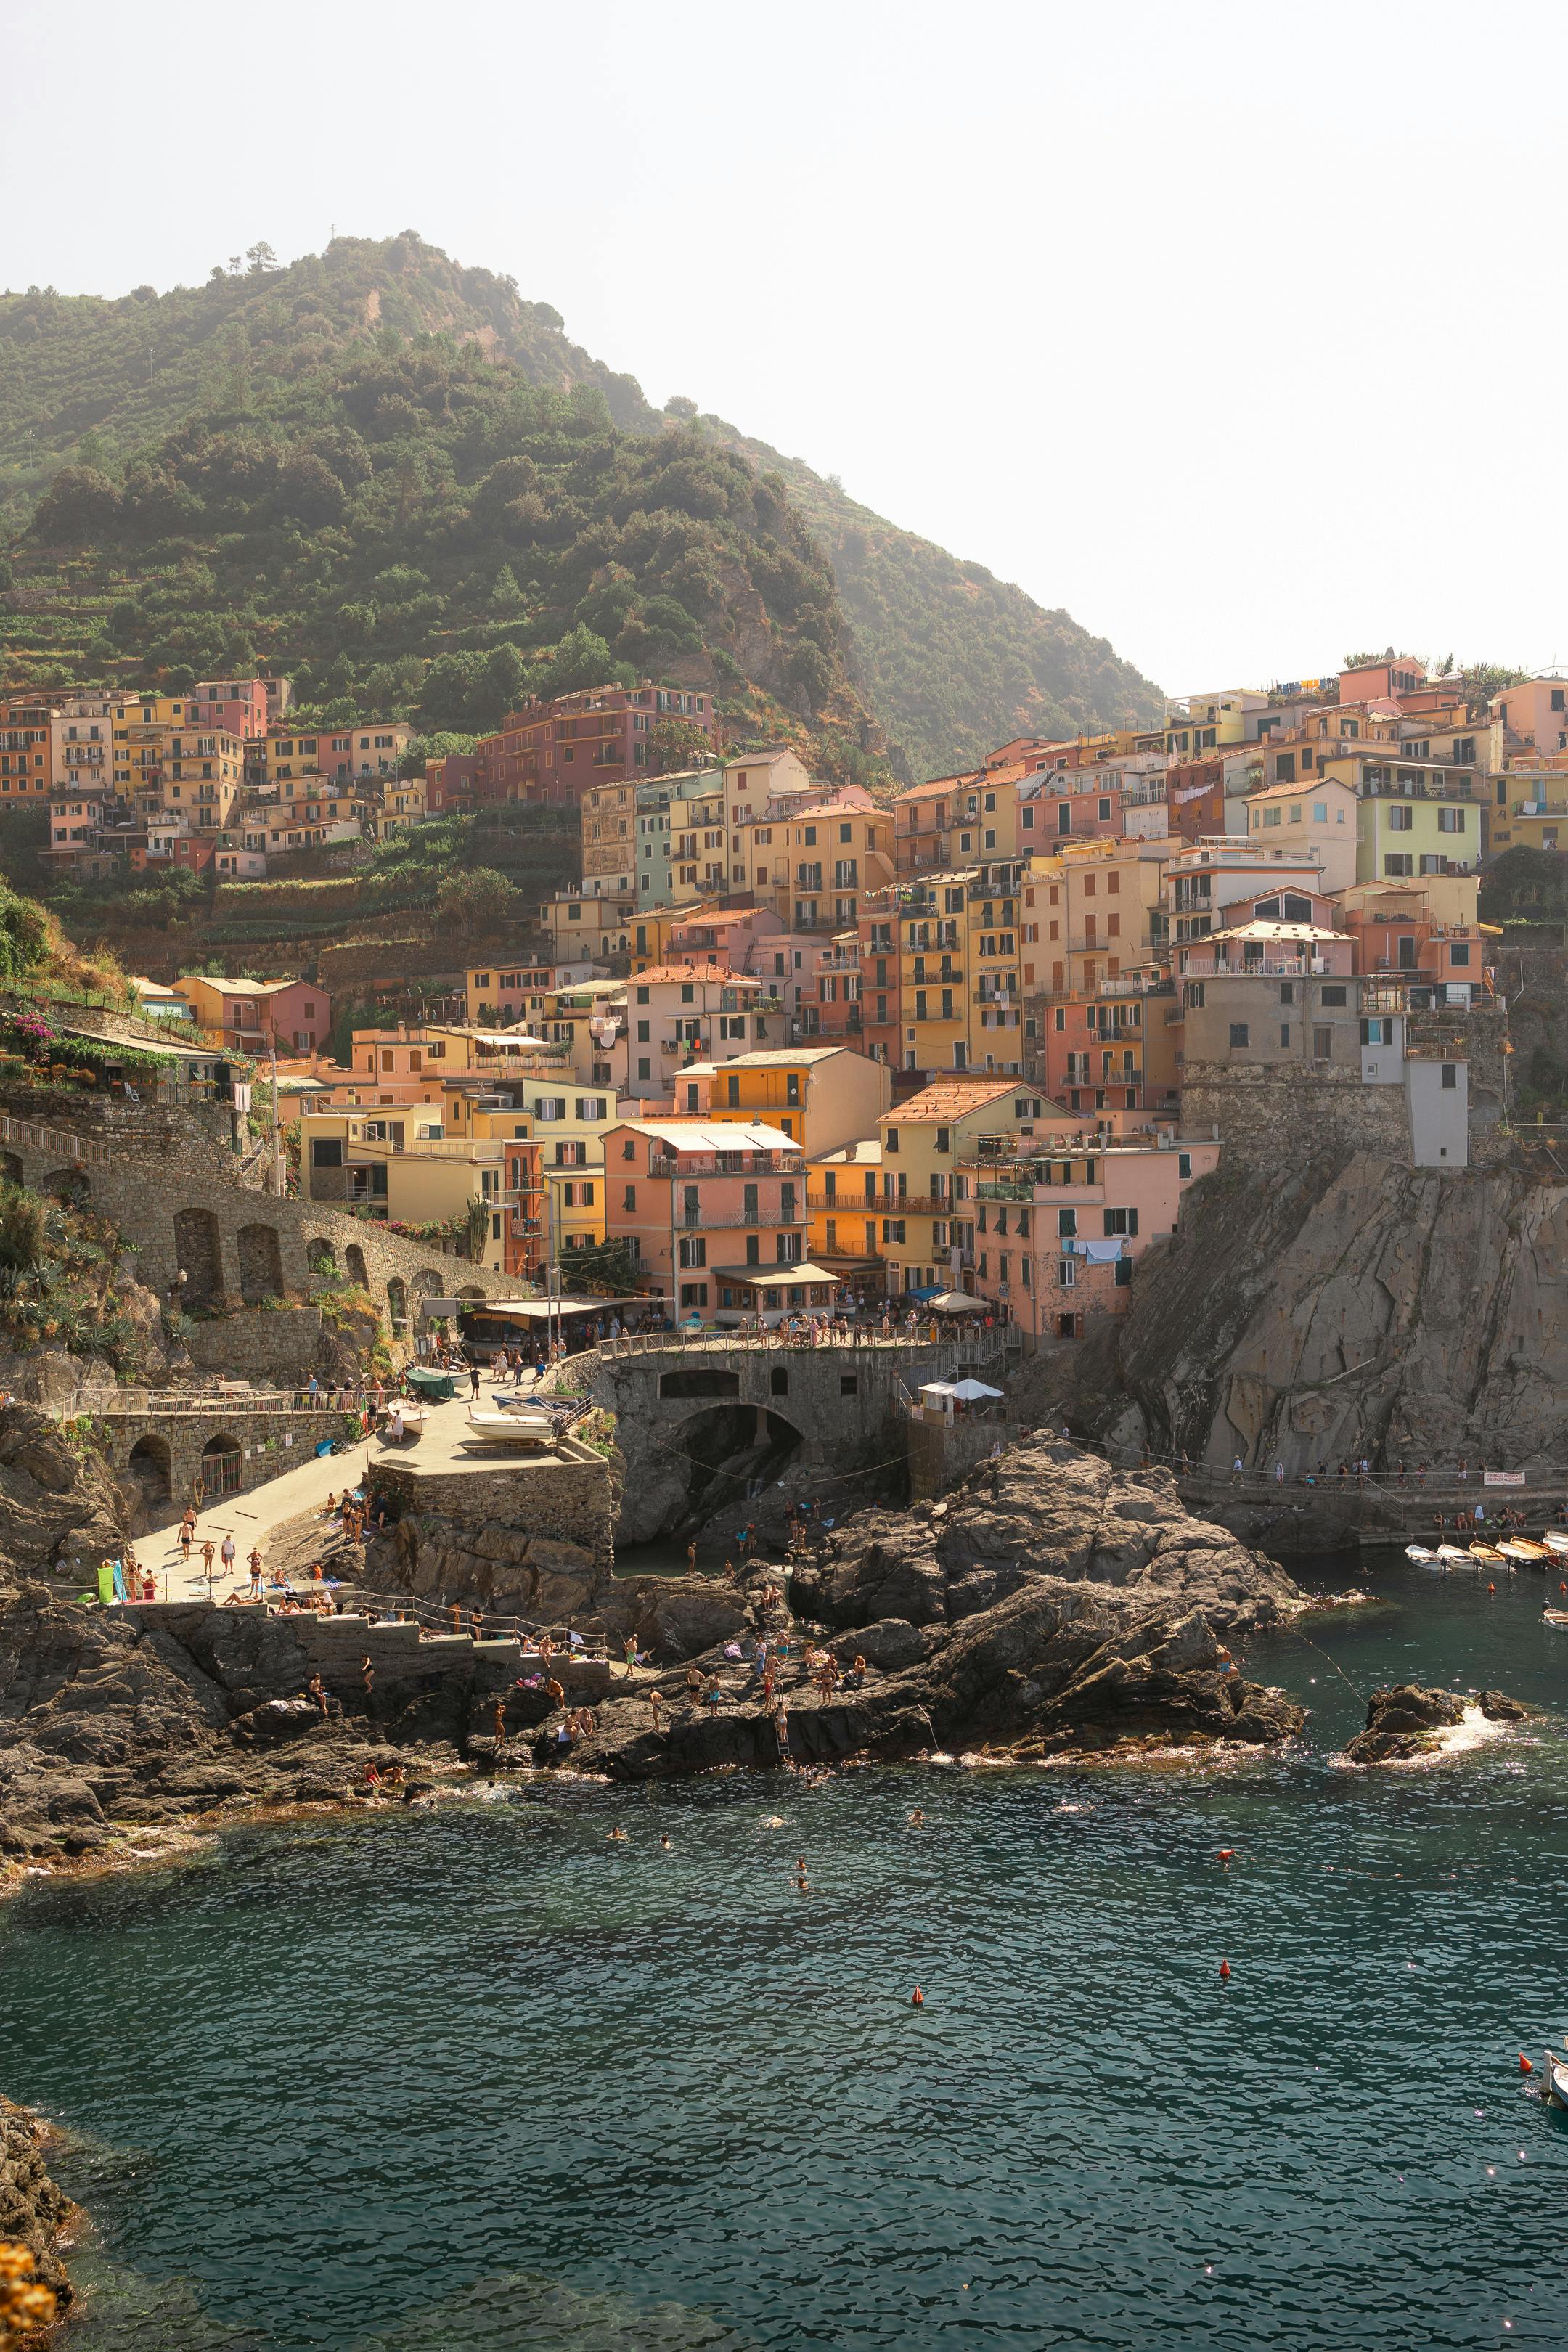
(1336, 1309)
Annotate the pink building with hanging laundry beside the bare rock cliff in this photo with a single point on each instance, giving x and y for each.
(1059, 1236)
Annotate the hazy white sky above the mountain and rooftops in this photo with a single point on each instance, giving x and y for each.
(1233, 328)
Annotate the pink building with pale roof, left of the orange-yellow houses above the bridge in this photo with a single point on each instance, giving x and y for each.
(706, 1208)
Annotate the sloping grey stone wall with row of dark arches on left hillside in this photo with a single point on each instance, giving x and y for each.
(234, 1248)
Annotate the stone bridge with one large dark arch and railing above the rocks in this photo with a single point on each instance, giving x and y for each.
(735, 1431)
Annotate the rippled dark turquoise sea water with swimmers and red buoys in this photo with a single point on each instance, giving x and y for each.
(481, 2078)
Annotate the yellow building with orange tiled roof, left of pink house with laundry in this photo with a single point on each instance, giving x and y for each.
(923, 1142)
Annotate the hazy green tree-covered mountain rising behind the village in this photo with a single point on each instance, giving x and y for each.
(401, 481)
